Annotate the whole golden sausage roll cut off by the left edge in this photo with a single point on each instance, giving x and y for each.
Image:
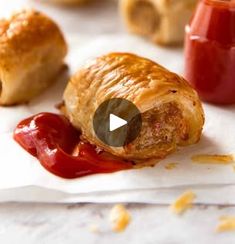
(32, 49)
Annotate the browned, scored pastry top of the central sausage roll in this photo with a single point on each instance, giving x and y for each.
(128, 76)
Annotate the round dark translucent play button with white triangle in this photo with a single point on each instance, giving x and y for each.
(117, 122)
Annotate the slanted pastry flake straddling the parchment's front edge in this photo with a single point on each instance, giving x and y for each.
(183, 203)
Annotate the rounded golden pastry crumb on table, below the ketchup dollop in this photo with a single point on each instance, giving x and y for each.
(119, 217)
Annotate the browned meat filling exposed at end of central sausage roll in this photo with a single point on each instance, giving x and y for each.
(162, 129)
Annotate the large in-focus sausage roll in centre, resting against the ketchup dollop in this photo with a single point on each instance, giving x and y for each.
(171, 111)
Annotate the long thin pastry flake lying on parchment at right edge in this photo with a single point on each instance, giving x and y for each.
(213, 159)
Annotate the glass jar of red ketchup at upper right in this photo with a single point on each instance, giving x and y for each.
(210, 51)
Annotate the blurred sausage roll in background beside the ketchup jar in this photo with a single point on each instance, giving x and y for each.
(163, 21)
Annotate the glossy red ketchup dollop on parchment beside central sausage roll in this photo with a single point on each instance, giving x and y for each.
(52, 139)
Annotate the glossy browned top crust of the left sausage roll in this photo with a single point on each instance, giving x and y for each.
(26, 29)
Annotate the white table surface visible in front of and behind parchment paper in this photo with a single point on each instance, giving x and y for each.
(56, 223)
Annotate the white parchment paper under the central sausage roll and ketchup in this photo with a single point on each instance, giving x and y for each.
(23, 179)
